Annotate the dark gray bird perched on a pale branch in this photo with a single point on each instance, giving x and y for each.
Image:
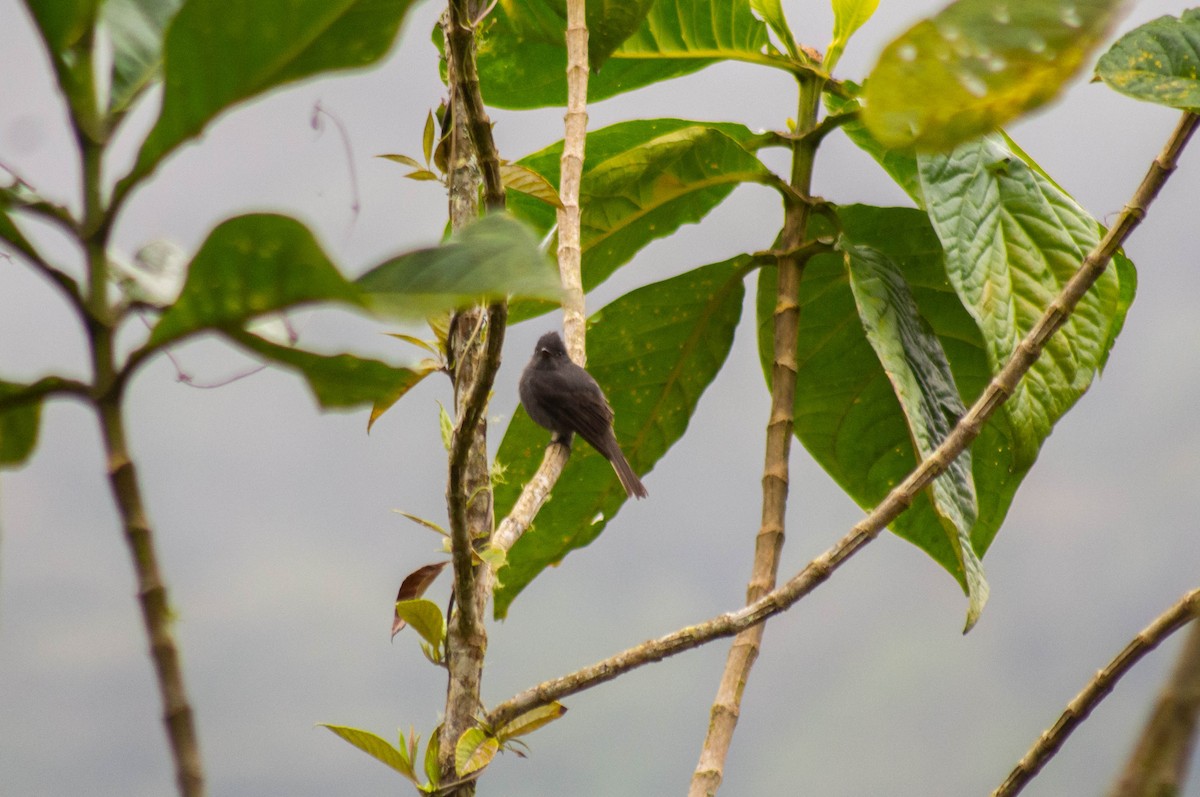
(565, 399)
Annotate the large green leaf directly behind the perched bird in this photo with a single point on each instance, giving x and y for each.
(653, 351)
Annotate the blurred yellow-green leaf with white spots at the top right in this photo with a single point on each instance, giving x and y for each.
(980, 64)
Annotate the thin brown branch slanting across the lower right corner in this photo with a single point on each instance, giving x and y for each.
(1177, 618)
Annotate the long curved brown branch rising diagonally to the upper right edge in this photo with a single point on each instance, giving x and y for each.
(902, 496)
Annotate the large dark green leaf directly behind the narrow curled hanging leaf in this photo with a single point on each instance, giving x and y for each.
(848, 415)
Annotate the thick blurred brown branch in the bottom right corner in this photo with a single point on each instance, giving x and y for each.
(1160, 763)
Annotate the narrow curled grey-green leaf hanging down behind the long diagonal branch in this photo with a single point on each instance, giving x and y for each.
(920, 371)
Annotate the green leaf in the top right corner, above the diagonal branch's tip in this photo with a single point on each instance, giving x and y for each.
(1159, 62)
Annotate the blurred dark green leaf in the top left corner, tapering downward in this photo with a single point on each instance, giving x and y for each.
(67, 28)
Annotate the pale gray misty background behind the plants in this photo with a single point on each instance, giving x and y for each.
(283, 554)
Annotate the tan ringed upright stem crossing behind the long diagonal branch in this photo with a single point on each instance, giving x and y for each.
(770, 541)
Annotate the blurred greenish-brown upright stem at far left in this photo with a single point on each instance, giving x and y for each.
(109, 389)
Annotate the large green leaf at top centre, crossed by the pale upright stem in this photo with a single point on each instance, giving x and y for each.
(523, 53)
